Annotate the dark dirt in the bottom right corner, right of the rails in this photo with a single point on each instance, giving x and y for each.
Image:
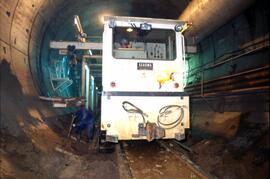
(216, 156)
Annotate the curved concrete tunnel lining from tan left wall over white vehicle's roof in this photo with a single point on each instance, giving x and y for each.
(30, 25)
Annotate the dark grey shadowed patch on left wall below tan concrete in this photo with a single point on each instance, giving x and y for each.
(12, 103)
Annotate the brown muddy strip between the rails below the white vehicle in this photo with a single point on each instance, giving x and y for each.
(153, 160)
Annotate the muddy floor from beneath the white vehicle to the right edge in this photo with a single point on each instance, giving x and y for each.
(215, 157)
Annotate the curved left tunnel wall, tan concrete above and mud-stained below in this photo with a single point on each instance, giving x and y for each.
(23, 27)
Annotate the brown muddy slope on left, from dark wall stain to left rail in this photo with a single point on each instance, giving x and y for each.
(33, 139)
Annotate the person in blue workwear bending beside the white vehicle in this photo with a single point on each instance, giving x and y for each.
(85, 121)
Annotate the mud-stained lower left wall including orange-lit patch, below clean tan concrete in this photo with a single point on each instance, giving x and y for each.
(24, 117)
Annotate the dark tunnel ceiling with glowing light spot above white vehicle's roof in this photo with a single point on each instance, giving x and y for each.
(91, 12)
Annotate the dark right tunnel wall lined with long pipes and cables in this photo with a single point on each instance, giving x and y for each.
(233, 106)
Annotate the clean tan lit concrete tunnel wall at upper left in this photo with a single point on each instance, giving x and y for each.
(23, 26)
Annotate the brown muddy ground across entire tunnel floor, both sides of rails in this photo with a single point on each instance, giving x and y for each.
(50, 154)
